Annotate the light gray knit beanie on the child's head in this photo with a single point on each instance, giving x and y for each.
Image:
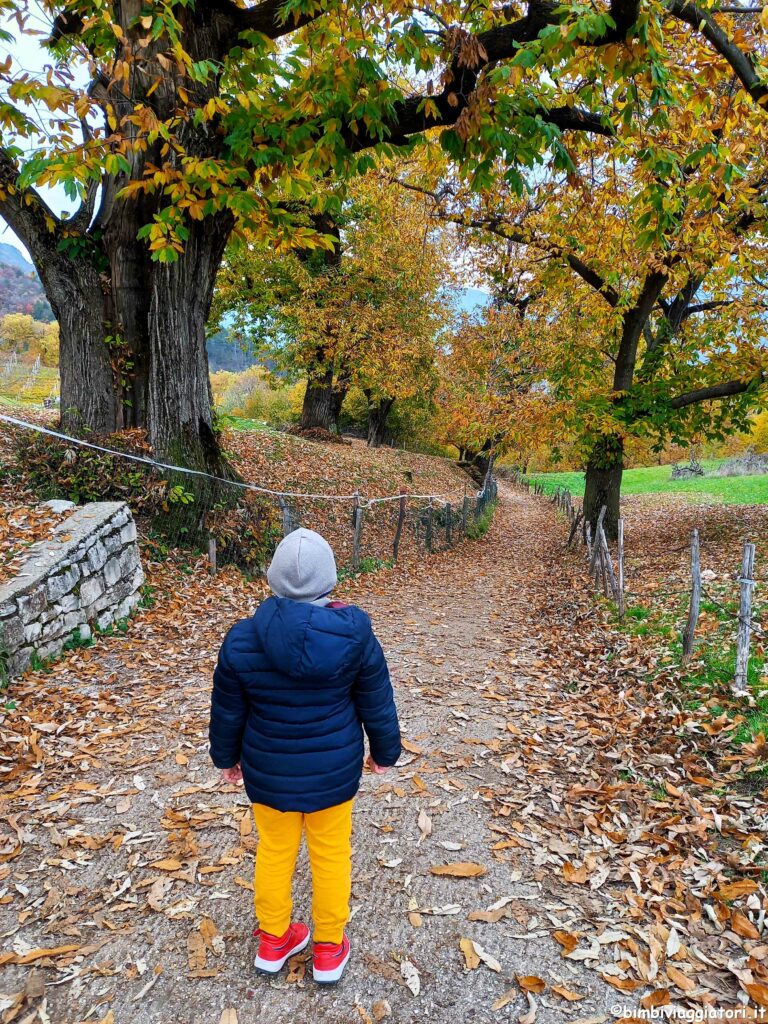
(304, 567)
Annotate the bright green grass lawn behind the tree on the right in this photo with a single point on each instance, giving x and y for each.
(652, 480)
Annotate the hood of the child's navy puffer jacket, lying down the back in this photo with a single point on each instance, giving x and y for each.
(308, 642)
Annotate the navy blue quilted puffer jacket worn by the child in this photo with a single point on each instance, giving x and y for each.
(293, 690)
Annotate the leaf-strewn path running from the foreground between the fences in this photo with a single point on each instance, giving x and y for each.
(119, 842)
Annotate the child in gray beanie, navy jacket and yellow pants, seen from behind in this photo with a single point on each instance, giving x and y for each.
(295, 687)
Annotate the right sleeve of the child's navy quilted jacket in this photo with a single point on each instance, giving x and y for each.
(375, 703)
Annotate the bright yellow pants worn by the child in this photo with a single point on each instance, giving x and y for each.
(329, 843)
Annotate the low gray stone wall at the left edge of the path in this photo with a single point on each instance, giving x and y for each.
(88, 573)
